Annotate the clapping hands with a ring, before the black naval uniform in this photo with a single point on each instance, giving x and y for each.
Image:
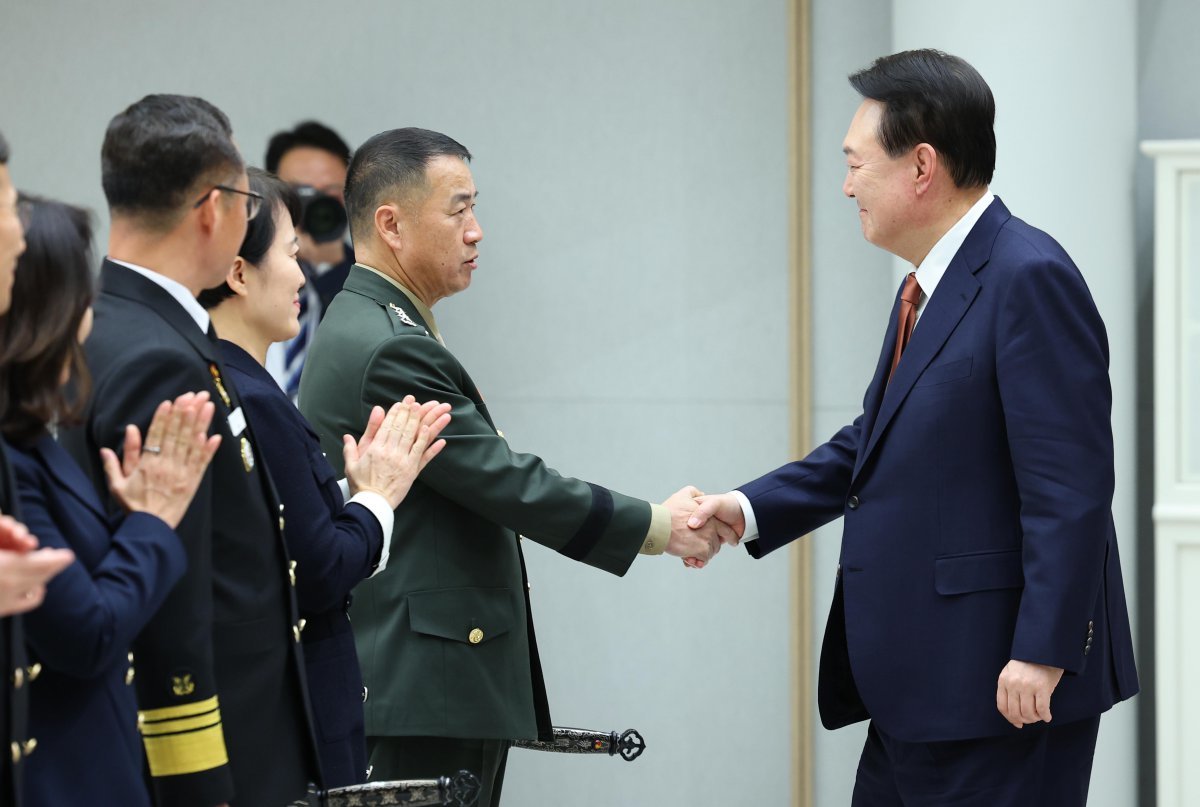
(161, 476)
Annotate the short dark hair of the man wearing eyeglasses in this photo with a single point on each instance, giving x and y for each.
(160, 150)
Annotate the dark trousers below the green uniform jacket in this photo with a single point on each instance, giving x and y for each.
(429, 758)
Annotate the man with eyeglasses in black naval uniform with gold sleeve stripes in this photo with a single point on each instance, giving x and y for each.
(219, 672)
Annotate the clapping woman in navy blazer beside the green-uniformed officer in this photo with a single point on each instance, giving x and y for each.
(334, 543)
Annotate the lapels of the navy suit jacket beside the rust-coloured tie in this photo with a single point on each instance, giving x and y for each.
(943, 314)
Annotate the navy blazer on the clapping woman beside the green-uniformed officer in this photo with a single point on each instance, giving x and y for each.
(335, 547)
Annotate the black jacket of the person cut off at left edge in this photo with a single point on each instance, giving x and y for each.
(14, 692)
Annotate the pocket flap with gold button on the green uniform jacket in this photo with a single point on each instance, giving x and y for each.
(467, 615)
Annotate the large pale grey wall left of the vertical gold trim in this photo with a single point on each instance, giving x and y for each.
(628, 322)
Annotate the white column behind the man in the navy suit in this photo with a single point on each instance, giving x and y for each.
(1064, 75)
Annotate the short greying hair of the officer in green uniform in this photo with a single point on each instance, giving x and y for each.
(392, 163)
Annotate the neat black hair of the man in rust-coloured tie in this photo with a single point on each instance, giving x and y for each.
(933, 98)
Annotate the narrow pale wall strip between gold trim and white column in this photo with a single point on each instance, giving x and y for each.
(853, 294)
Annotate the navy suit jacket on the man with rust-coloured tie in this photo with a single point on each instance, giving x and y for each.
(977, 493)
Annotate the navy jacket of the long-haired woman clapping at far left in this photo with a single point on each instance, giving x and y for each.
(83, 708)
